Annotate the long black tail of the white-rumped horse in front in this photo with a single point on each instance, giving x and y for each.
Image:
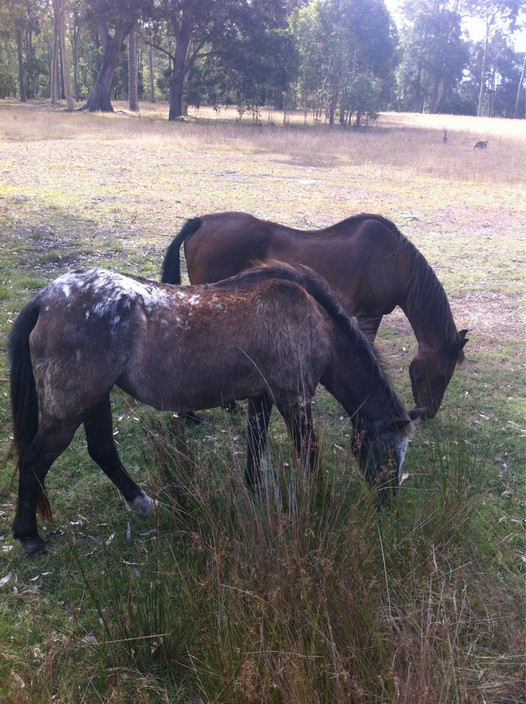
(24, 399)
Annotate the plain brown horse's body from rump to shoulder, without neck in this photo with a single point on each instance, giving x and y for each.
(362, 258)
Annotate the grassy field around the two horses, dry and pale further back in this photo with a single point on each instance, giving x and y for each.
(302, 599)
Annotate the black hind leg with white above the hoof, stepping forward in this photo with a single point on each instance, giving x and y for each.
(101, 447)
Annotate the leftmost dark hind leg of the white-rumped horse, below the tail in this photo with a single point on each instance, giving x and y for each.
(42, 451)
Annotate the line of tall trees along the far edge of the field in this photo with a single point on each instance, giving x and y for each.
(339, 61)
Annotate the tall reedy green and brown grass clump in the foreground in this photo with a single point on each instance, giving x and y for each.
(310, 595)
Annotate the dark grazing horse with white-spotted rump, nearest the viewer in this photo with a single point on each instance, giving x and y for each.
(269, 335)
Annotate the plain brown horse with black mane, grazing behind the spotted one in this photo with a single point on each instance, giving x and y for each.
(366, 260)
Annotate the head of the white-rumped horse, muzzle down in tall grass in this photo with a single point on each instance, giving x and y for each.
(380, 449)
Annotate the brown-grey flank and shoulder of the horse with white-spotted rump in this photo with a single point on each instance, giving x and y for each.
(232, 342)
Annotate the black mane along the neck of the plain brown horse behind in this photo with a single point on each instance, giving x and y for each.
(426, 300)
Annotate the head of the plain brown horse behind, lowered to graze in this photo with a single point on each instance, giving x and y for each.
(431, 372)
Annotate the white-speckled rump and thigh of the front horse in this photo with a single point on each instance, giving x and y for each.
(82, 338)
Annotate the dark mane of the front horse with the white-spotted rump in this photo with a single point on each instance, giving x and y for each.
(319, 289)
